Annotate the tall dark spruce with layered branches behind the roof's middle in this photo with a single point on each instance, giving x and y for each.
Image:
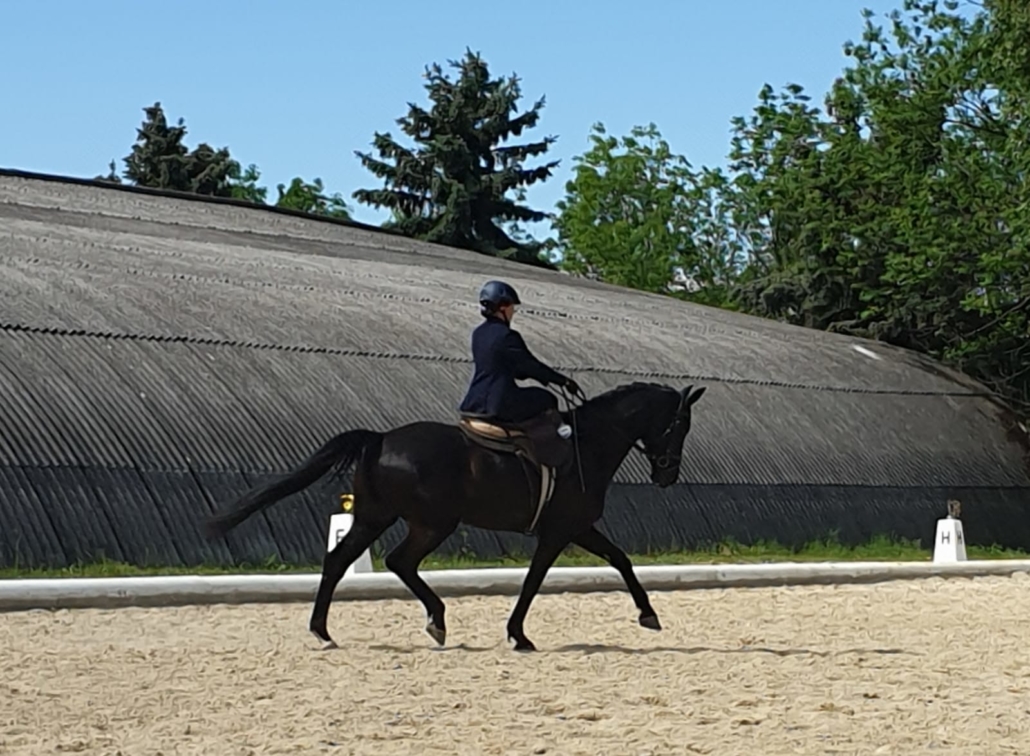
(454, 187)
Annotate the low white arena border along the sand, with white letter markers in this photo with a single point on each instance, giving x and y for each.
(361, 583)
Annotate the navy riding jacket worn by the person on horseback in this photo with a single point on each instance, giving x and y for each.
(502, 358)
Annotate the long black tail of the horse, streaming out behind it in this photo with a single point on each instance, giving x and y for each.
(339, 453)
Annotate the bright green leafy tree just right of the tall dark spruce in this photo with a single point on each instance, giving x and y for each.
(636, 215)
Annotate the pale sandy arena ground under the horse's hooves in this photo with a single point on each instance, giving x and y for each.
(910, 668)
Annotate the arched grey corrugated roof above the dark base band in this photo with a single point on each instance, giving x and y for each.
(145, 332)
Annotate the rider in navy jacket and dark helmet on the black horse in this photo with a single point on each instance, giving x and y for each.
(502, 357)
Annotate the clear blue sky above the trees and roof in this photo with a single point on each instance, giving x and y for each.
(297, 88)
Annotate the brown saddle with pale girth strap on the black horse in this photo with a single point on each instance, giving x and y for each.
(535, 442)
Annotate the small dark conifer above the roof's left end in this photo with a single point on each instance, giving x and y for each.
(160, 160)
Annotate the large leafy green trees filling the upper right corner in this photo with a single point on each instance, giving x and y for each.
(900, 212)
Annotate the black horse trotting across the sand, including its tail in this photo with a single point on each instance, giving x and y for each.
(435, 476)
